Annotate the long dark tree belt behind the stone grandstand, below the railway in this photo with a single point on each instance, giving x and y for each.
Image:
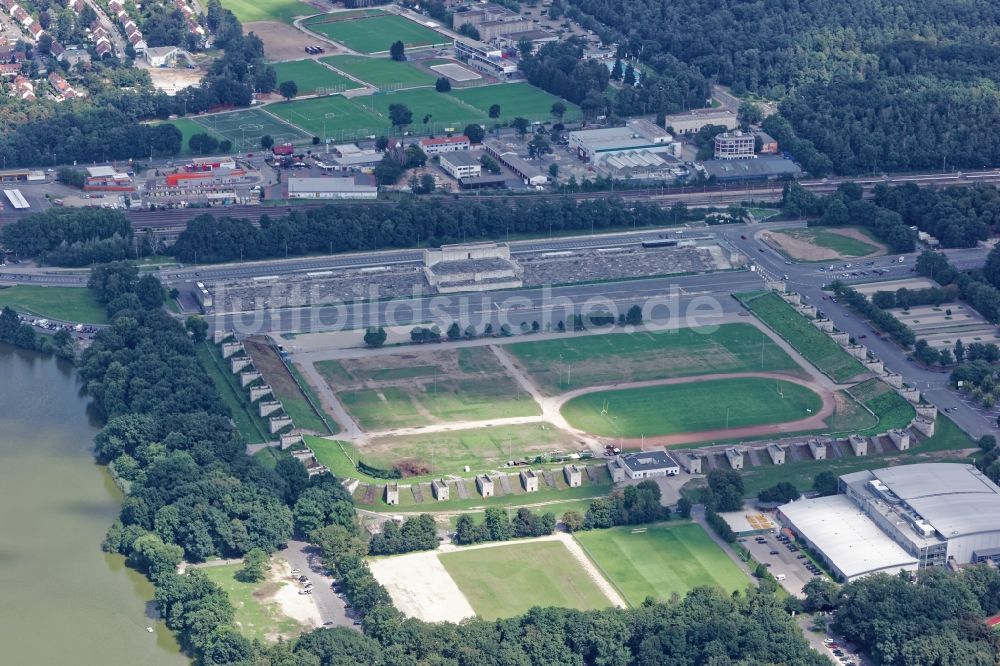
(357, 227)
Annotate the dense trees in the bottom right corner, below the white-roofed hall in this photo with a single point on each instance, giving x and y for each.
(939, 619)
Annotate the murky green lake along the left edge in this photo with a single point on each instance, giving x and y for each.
(62, 600)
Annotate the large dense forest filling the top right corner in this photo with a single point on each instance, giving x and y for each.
(860, 91)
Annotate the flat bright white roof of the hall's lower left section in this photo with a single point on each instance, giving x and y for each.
(848, 538)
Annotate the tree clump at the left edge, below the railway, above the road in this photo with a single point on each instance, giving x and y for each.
(68, 237)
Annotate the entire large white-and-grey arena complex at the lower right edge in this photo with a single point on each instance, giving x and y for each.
(901, 518)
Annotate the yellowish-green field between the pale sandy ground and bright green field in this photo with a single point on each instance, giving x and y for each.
(509, 580)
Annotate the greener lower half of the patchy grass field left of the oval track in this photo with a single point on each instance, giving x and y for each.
(445, 400)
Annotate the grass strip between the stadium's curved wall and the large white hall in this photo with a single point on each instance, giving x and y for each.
(940, 448)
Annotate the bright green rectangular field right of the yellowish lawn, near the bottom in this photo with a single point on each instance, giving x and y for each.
(661, 560)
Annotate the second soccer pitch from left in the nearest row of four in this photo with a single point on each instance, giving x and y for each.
(344, 120)
